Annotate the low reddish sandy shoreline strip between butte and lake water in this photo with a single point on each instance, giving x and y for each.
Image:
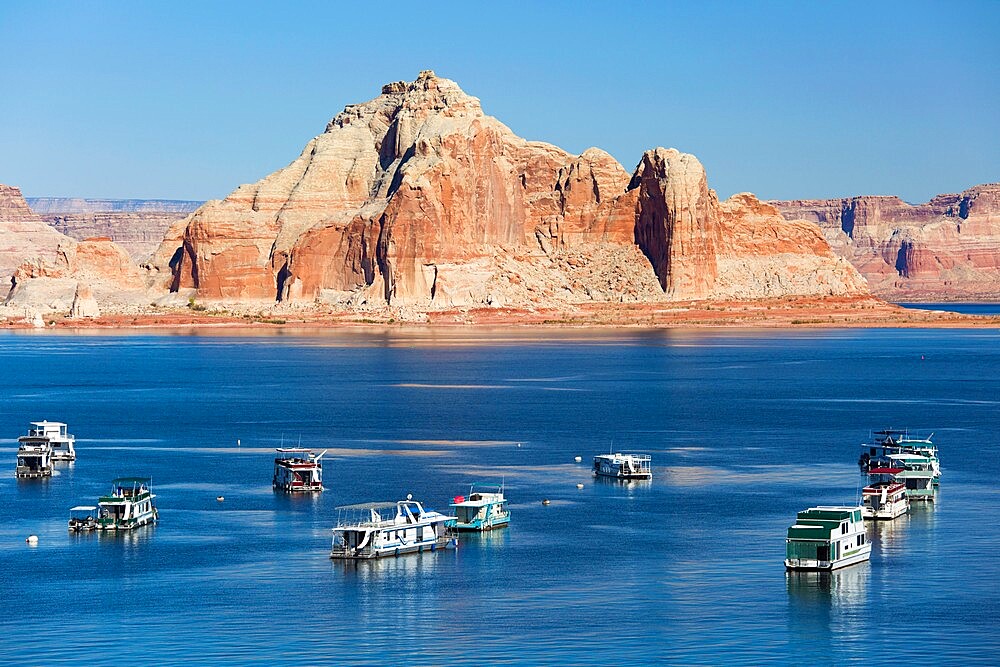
(785, 313)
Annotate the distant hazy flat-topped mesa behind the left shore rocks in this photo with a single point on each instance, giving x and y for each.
(137, 225)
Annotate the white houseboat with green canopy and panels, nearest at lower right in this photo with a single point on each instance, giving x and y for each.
(827, 538)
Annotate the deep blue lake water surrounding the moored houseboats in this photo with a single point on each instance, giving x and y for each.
(745, 429)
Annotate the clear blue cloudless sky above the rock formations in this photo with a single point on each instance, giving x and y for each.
(187, 100)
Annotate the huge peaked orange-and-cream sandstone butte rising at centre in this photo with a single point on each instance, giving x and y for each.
(417, 200)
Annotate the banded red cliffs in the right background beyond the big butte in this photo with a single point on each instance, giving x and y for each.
(946, 248)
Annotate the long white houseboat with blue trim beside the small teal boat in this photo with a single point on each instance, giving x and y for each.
(377, 530)
